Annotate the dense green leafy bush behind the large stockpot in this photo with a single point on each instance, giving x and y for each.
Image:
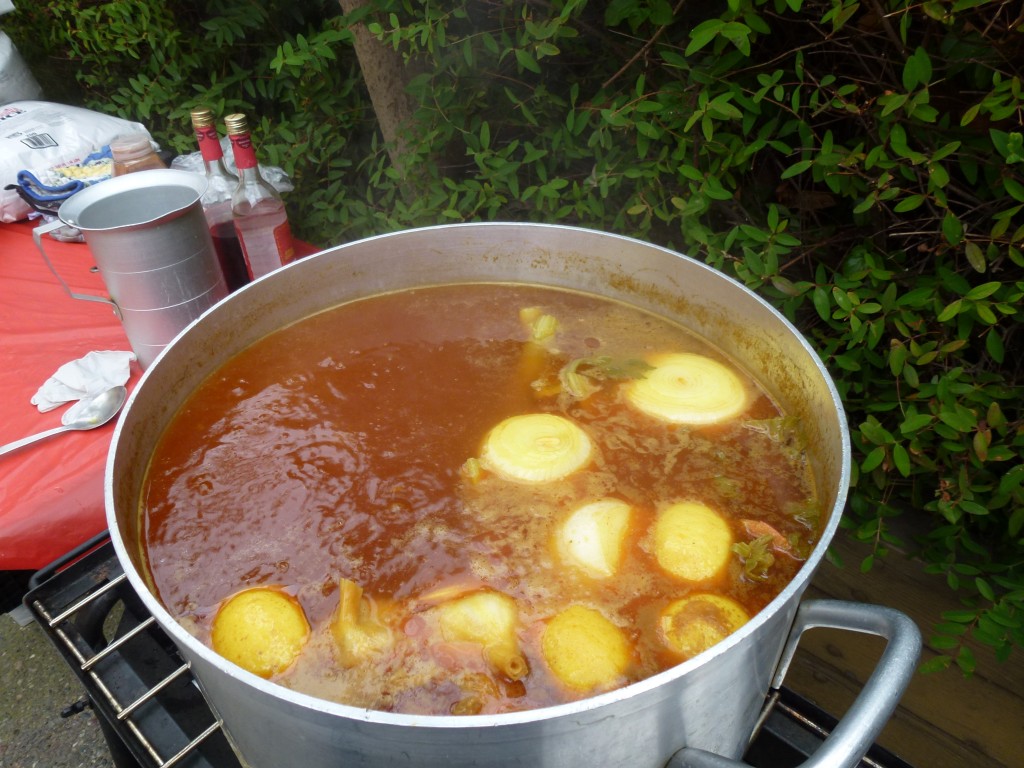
(862, 165)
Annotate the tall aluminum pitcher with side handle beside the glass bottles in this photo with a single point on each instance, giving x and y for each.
(150, 239)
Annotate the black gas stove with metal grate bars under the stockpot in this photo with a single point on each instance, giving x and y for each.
(154, 715)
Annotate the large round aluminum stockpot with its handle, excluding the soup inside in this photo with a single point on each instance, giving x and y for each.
(689, 715)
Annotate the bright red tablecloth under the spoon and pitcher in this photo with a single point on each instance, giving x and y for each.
(52, 493)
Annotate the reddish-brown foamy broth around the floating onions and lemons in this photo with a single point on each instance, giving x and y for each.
(343, 453)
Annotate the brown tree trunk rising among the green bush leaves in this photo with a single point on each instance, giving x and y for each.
(386, 75)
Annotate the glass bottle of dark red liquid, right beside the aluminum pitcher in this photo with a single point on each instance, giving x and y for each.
(218, 201)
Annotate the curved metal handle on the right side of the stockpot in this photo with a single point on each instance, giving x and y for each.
(855, 735)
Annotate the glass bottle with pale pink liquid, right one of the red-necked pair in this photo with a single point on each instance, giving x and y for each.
(261, 219)
